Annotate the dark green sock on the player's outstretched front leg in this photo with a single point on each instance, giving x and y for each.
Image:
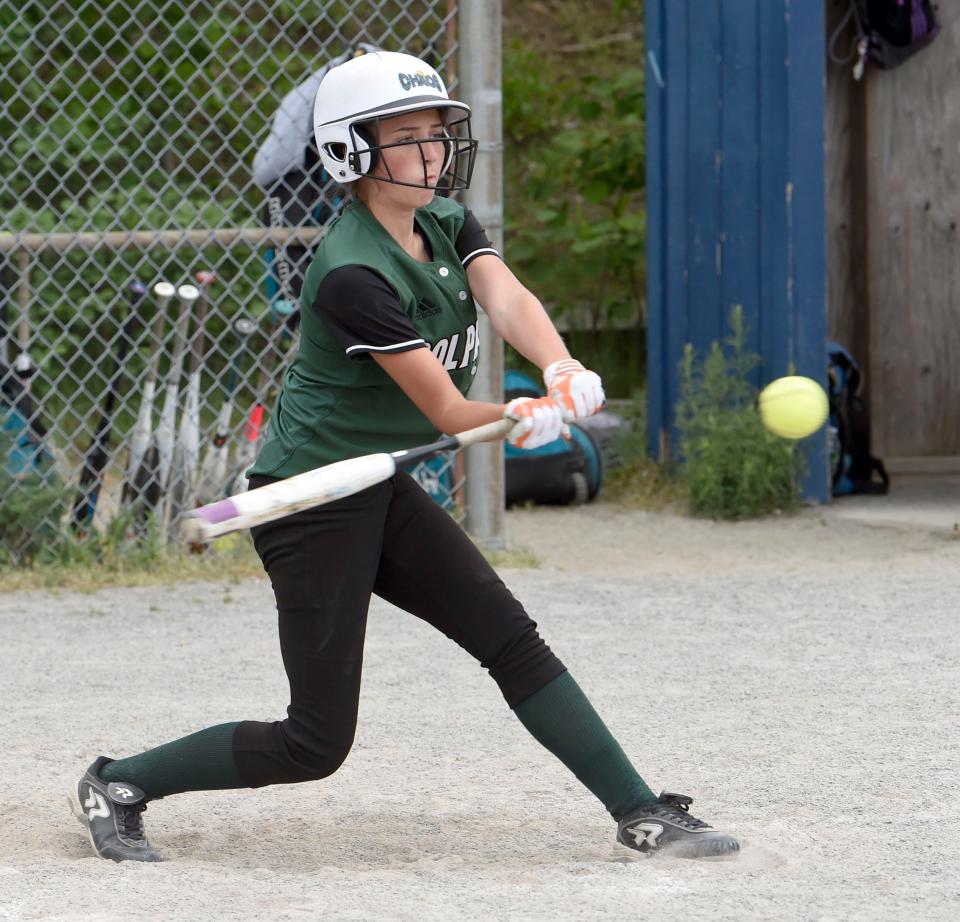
(560, 717)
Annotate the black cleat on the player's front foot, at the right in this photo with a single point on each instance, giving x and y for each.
(666, 827)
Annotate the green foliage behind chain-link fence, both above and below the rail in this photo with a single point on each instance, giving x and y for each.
(111, 123)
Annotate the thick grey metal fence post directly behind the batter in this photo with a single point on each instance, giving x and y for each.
(480, 86)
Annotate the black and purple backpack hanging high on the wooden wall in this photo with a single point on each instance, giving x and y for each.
(890, 31)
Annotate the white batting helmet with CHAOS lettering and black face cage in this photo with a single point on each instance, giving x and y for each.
(355, 96)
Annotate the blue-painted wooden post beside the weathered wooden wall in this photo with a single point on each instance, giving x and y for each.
(735, 194)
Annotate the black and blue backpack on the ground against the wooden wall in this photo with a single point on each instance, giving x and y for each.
(852, 468)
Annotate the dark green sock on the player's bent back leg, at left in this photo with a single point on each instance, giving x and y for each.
(202, 761)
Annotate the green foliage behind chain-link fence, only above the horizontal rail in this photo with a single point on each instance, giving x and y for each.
(174, 100)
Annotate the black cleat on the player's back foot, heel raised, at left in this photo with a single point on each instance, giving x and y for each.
(112, 812)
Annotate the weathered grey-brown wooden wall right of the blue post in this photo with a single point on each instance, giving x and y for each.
(892, 179)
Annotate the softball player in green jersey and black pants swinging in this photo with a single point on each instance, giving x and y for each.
(388, 350)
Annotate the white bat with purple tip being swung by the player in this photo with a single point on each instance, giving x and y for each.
(321, 485)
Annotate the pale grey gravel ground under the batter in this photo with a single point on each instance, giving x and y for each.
(799, 677)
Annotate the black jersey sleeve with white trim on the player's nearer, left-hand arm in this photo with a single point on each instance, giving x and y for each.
(365, 313)
